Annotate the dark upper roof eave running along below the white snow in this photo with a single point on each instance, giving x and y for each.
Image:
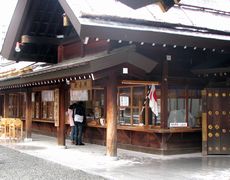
(127, 32)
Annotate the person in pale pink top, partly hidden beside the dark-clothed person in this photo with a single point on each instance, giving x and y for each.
(71, 123)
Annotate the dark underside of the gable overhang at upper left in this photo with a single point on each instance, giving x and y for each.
(37, 25)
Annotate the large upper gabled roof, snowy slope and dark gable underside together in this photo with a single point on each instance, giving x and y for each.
(188, 24)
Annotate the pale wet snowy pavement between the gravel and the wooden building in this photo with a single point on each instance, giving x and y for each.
(91, 158)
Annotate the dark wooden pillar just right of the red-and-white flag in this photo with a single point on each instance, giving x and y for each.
(164, 95)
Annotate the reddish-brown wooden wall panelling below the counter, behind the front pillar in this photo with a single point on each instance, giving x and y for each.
(176, 143)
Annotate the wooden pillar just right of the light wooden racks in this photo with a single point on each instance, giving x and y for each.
(28, 129)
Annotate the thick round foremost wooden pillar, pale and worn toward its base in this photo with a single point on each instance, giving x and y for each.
(111, 116)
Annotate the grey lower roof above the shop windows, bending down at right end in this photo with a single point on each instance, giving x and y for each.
(86, 65)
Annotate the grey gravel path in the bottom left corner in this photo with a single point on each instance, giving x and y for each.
(15, 165)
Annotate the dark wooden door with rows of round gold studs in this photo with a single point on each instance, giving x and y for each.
(218, 121)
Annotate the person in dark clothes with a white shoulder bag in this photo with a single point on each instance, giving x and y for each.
(79, 121)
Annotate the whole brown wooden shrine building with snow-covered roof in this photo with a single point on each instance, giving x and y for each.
(110, 61)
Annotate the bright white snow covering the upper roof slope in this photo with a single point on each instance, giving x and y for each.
(177, 15)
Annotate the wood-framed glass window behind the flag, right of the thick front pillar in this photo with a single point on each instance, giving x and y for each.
(133, 106)
